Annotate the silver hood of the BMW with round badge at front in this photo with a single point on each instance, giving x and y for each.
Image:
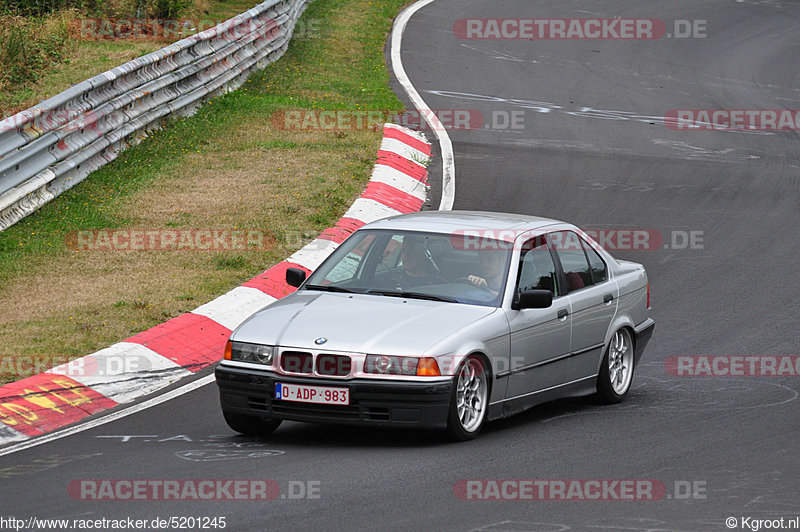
(358, 323)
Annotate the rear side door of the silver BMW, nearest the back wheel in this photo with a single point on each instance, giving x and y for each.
(593, 301)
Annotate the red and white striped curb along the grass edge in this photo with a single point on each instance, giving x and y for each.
(180, 347)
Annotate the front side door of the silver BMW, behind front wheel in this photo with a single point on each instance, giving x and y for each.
(540, 338)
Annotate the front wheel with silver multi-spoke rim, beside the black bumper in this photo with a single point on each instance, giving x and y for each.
(469, 400)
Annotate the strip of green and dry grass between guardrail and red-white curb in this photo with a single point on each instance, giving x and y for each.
(227, 167)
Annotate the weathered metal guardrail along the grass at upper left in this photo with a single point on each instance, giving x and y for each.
(51, 147)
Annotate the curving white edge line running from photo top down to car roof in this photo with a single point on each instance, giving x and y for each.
(445, 144)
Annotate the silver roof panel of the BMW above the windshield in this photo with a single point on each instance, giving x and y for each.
(455, 221)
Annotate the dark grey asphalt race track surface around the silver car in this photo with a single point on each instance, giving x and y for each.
(590, 146)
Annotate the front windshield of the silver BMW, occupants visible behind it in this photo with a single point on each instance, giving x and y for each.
(434, 266)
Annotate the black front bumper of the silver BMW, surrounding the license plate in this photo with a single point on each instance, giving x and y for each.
(374, 403)
